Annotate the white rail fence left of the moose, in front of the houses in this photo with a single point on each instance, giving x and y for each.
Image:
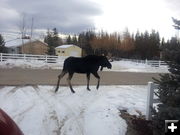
(28, 57)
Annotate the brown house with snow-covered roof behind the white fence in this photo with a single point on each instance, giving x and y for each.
(28, 47)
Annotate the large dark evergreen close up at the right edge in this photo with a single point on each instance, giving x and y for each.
(168, 91)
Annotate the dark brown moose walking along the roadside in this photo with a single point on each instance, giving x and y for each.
(85, 65)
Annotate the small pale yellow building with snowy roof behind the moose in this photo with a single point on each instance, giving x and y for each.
(68, 50)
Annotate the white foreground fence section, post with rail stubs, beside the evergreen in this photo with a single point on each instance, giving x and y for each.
(150, 99)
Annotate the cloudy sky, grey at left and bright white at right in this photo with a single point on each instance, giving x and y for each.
(75, 16)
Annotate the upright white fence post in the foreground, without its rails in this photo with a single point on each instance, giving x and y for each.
(150, 95)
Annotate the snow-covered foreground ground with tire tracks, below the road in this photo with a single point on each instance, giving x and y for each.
(39, 111)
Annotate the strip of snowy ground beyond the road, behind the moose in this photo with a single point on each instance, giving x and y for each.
(119, 66)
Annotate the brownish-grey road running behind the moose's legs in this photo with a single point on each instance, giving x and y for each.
(18, 76)
